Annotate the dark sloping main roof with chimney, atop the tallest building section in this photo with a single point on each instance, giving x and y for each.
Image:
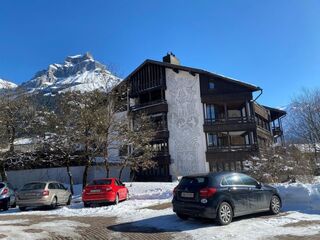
(195, 70)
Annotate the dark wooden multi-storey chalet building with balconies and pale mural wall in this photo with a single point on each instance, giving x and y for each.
(204, 121)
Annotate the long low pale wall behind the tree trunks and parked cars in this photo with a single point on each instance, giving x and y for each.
(20, 177)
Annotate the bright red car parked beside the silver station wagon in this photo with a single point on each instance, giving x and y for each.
(105, 190)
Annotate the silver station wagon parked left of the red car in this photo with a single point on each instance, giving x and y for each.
(43, 194)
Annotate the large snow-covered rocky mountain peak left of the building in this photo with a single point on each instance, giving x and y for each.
(77, 73)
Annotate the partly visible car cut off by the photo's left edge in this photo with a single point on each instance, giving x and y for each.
(7, 196)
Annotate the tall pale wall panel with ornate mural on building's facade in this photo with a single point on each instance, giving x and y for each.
(187, 144)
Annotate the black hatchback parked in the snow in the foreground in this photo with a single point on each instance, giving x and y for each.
(222, 196)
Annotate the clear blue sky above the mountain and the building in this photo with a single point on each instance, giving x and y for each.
(274, 44)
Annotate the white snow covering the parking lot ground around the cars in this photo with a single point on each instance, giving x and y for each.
(301, 202)
